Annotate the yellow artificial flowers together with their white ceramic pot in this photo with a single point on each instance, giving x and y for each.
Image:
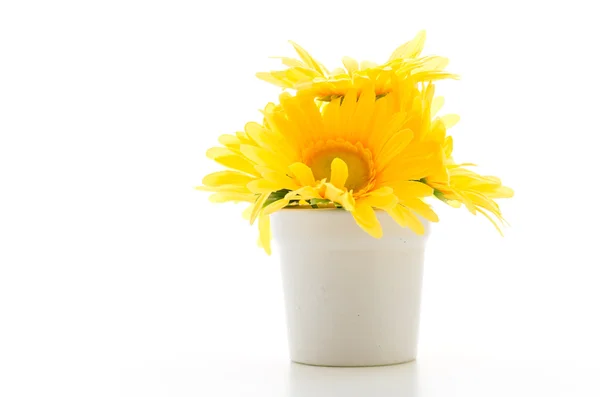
(358, 147)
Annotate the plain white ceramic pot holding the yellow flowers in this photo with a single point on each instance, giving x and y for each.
(351, 300)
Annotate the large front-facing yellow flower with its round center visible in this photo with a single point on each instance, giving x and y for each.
(354, 152)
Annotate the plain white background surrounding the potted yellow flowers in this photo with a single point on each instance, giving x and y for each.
(118, 278)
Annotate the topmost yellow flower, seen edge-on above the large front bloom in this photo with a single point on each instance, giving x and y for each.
(309, 77)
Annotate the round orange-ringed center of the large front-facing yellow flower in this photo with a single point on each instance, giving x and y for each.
(358, 159)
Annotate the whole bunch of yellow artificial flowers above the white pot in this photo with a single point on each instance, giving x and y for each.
(363, 138)
